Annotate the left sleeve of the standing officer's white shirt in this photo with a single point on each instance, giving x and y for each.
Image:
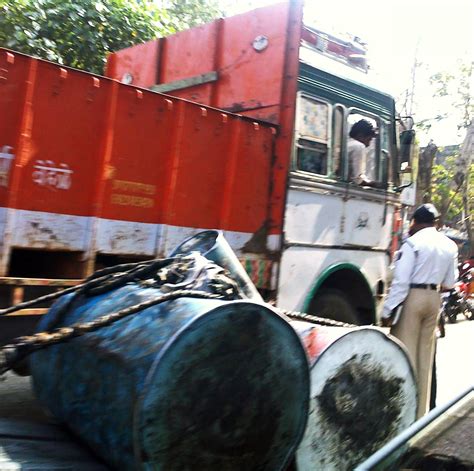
(401, 279)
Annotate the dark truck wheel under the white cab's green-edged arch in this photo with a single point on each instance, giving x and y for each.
(334, 304)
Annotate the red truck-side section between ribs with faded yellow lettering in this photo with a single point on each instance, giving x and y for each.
(139, 156)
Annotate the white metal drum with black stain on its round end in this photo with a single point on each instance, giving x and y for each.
(363, 393)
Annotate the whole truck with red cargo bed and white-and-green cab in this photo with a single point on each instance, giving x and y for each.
(239, 125)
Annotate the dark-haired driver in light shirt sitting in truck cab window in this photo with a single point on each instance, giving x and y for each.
(360, 137)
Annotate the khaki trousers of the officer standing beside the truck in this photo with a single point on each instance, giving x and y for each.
(416, 329)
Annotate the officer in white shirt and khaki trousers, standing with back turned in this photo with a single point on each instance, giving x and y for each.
(425, 264)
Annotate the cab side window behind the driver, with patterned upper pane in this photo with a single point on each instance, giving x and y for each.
(312, 136)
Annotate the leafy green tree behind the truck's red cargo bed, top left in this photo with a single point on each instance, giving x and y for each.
(80, 33)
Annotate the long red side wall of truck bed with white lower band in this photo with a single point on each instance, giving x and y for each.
(104, 167)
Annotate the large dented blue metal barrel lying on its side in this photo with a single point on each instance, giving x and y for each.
(187, 384)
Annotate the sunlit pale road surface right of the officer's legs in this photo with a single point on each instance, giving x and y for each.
(455, 360)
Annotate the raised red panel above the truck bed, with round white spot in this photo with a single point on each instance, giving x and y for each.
(247, 51)
